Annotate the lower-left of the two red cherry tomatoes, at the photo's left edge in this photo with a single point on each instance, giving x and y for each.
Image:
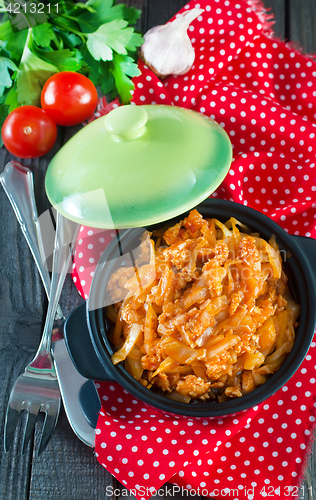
(28, 132)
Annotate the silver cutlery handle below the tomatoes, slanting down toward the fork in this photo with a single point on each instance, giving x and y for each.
(17, 181)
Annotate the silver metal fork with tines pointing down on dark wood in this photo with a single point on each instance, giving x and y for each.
(37, 390)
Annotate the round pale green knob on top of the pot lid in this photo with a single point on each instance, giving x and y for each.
(126, 122)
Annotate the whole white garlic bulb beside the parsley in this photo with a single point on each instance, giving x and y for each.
(167, 49)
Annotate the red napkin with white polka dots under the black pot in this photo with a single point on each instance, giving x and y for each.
(264, 95)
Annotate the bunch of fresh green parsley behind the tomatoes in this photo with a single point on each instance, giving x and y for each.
(96, 38)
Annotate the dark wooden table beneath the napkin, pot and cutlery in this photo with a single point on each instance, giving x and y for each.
(68, 470)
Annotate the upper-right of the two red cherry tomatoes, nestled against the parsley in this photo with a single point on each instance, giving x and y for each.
(69, 98)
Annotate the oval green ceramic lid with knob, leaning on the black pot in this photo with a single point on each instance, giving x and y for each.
(138, 165)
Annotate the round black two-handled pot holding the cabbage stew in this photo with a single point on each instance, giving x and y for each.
(86, 327)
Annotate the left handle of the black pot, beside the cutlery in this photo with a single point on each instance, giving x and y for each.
(80, 347)
